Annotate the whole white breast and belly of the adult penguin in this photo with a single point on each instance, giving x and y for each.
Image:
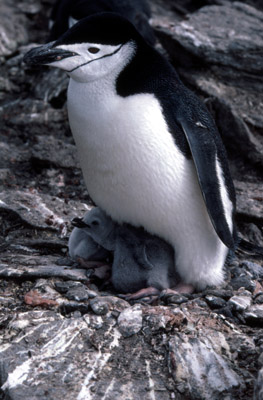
(134, 171)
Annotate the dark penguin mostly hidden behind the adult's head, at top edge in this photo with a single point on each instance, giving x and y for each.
(66, 13)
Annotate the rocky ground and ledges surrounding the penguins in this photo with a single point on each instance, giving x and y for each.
(65, 334)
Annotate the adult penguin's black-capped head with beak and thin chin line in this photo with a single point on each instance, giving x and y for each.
(94, 47)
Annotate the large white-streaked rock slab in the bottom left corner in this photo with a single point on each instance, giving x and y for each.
(57, 354)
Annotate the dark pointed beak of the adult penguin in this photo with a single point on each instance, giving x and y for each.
(46, 54)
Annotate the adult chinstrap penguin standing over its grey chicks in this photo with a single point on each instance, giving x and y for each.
(150, 152)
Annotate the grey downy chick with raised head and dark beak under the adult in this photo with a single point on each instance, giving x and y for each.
(140, 260)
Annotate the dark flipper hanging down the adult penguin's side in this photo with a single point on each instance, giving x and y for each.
(204, 152)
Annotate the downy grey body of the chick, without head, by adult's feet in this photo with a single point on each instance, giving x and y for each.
(142, 261)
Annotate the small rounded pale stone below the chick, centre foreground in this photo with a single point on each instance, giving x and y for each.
(130, 321)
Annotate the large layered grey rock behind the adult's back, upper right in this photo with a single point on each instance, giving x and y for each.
(212, 54)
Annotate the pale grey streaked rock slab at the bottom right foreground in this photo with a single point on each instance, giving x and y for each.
(189, 358)
